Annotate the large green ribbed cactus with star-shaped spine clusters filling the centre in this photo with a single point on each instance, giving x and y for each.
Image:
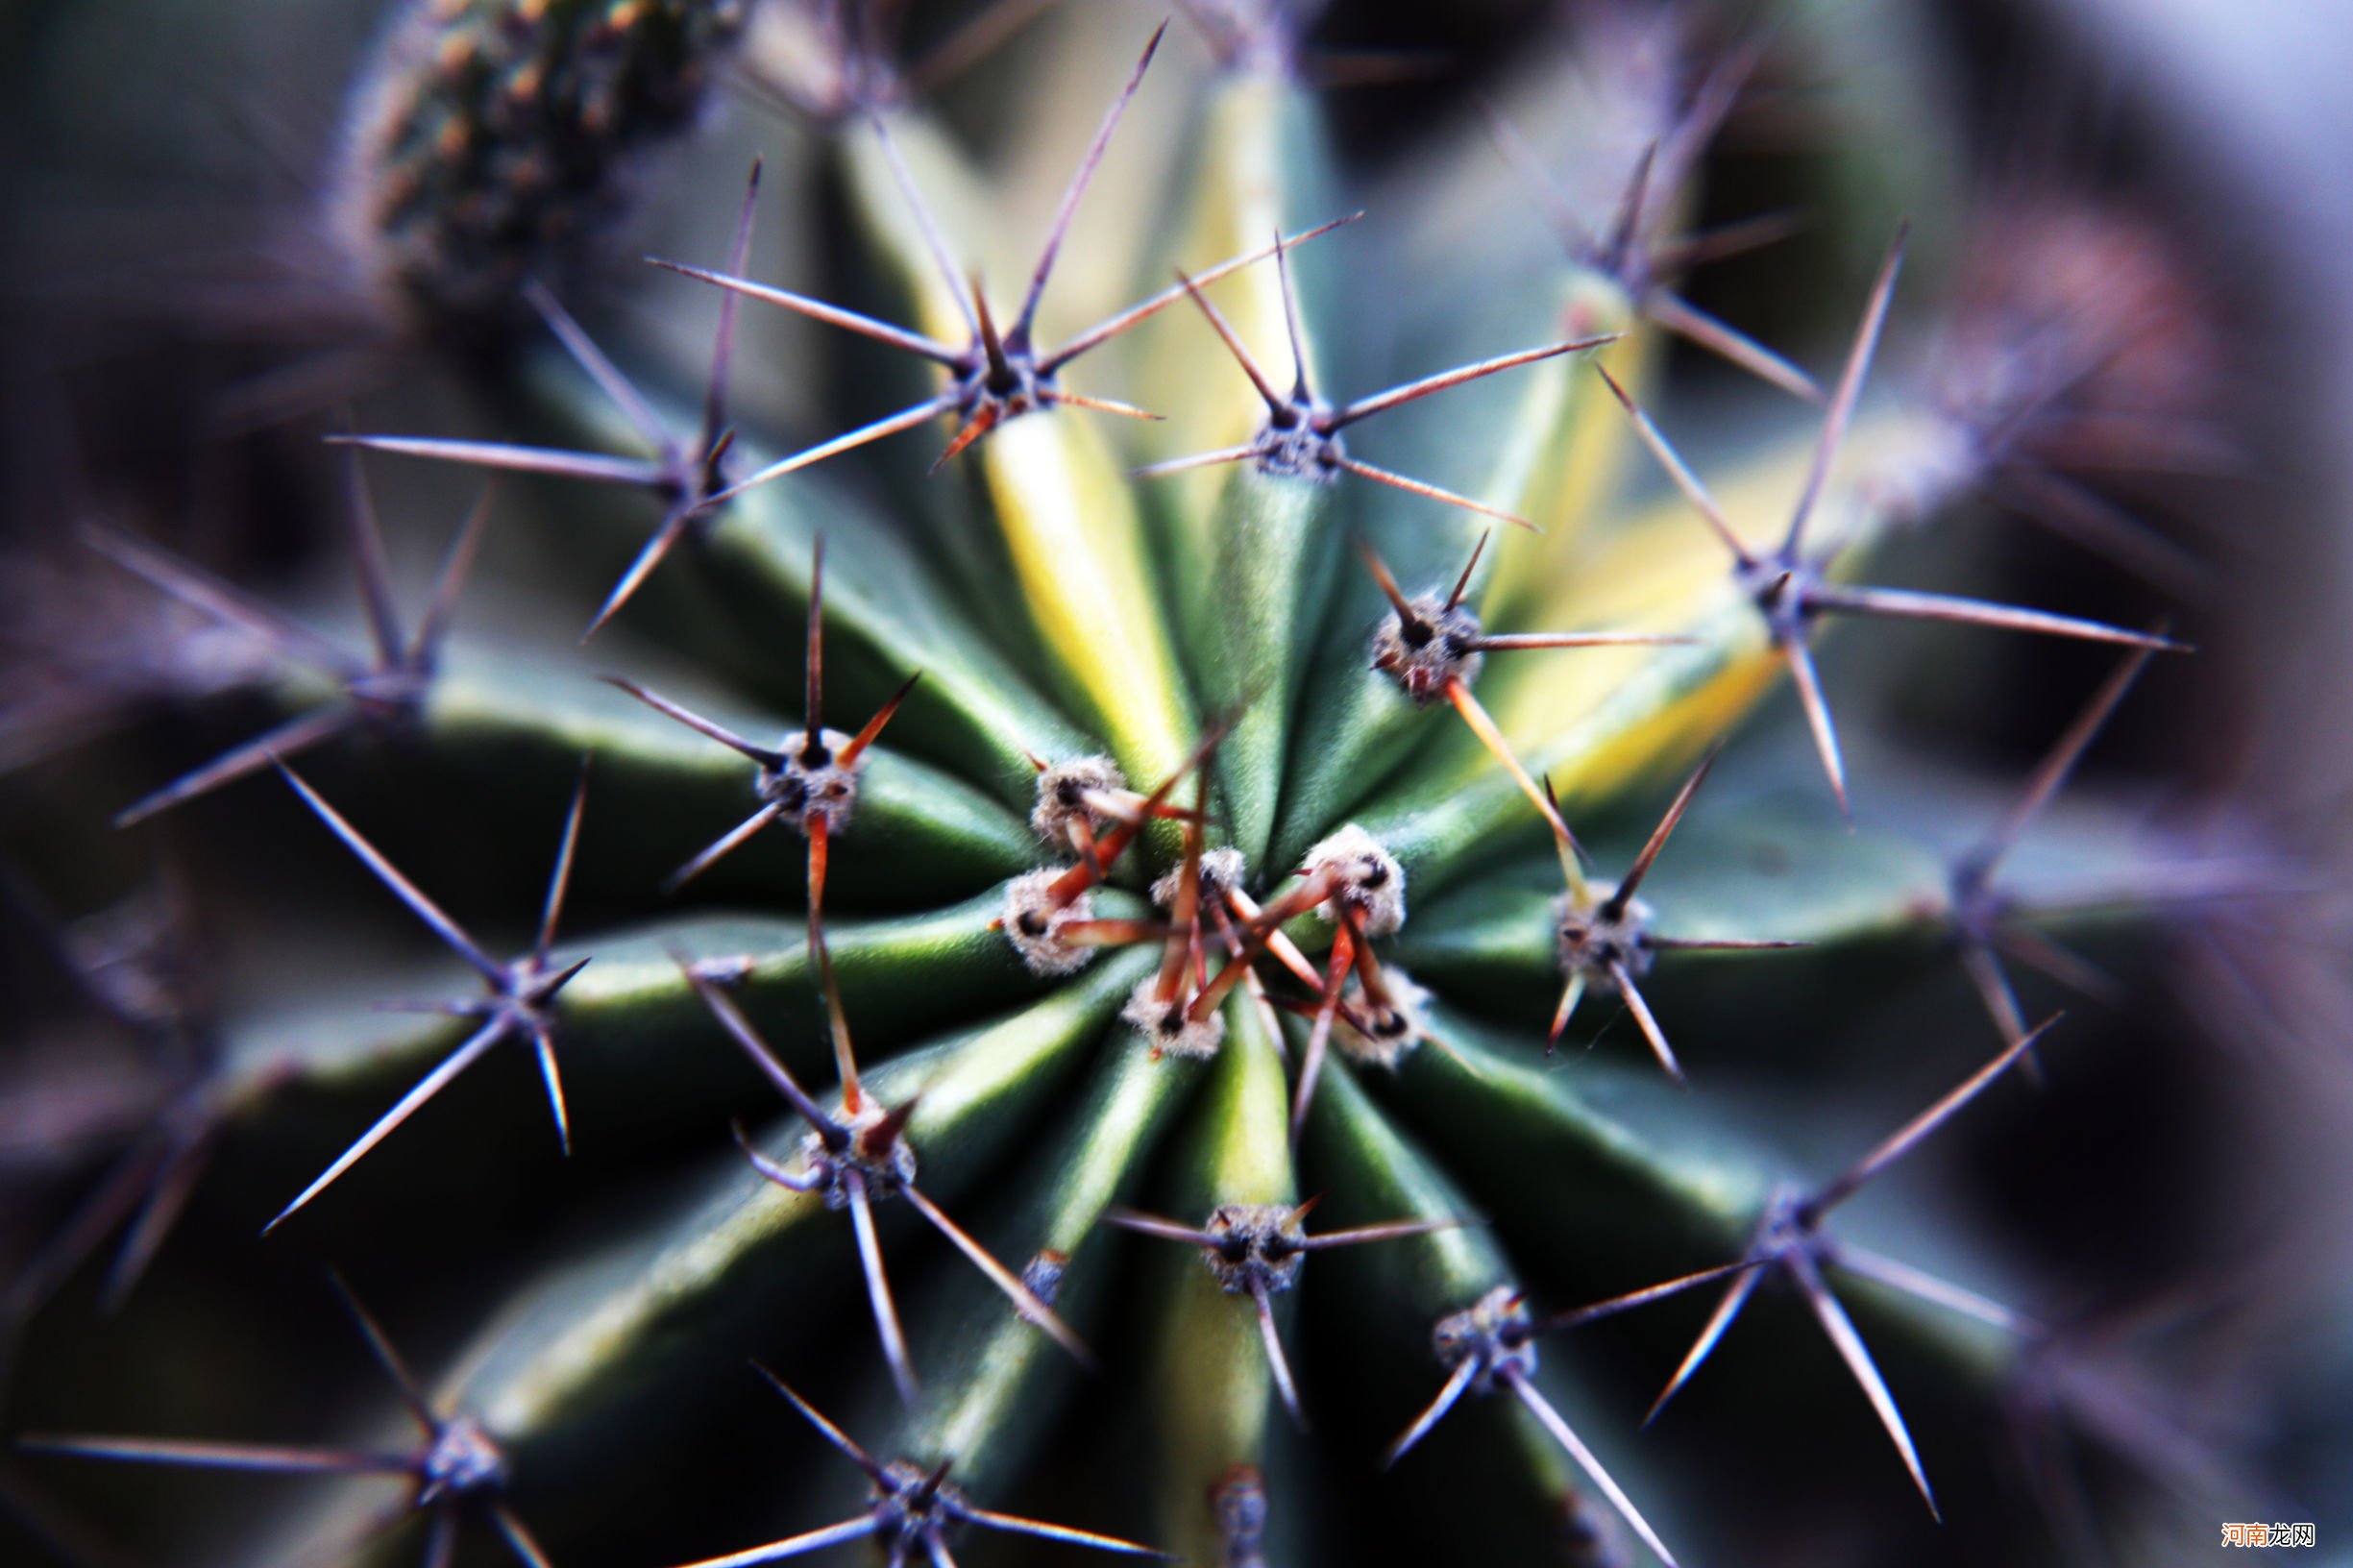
(1253, 839)
